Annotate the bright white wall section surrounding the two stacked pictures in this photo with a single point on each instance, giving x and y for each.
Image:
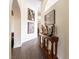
(32, 4)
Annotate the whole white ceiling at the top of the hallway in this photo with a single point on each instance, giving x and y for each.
(42, 4)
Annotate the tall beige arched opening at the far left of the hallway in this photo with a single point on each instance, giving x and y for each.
(16, 23)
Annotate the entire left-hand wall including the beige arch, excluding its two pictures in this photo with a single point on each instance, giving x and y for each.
(20, 27)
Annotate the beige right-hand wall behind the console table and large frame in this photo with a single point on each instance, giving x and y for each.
(62, 24)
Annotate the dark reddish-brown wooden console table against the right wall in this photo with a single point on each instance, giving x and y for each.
(44, 44)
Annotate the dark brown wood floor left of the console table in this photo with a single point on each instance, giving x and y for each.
(29, 50)
